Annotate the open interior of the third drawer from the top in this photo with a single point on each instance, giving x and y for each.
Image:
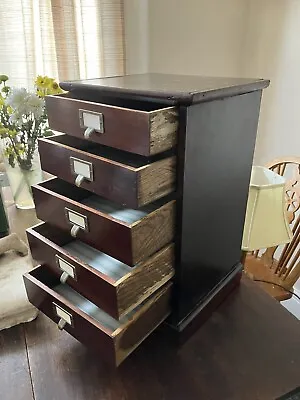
(114, 210)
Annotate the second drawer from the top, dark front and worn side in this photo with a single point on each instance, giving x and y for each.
(113, 180)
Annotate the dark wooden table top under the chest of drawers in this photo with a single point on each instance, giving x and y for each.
(249, 349)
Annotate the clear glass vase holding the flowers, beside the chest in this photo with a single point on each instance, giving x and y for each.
(20, 181)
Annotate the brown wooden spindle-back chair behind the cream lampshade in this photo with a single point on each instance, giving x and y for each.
(281, 264)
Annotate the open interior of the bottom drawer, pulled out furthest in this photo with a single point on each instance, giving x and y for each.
(44, 276)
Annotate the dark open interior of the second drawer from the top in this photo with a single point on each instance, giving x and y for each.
(119, 156)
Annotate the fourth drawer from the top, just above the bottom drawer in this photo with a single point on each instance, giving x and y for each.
(116, 289)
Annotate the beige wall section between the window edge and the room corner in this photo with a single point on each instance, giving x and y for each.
(196, 36)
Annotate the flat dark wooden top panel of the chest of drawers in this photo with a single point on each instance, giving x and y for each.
(171, 89)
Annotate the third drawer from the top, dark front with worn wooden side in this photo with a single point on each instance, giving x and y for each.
(129, 243)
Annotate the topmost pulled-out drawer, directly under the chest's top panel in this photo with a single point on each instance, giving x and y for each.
(140, 132)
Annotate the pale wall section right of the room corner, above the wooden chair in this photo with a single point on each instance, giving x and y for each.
(272, 50)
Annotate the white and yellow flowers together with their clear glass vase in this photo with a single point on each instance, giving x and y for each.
(23, 119)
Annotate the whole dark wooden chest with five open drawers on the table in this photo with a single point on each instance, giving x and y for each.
(143, 221)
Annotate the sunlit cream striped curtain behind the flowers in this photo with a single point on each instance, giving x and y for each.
(64, 39)
